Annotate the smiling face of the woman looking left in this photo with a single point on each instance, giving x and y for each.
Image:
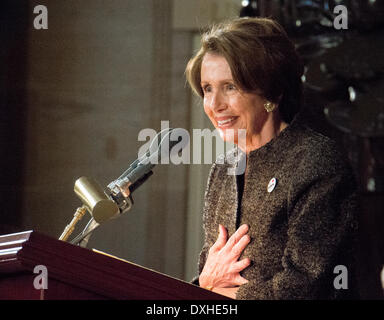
(227, 106)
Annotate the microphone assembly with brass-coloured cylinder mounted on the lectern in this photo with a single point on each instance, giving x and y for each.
(117, 199)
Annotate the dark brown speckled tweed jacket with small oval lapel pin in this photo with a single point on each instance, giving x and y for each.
(301, 230)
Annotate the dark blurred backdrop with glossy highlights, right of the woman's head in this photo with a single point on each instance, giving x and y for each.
(344, 99)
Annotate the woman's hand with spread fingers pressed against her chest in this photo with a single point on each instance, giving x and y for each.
(222, 268)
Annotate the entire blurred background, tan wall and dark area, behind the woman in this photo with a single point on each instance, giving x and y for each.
(74, 97)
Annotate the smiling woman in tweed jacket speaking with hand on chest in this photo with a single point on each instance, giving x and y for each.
(279, 230)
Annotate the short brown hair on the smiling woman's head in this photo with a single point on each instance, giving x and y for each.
(261, 58)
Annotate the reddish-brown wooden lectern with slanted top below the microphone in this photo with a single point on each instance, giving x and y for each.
(79, 273)
